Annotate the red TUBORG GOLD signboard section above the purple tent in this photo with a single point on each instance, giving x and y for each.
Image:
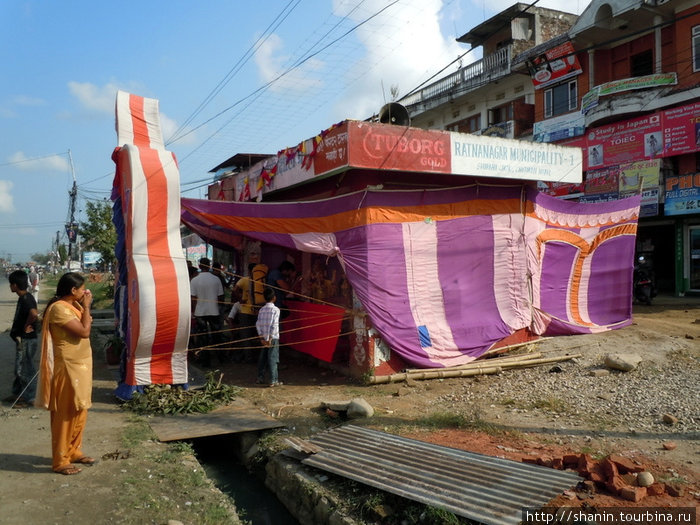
(383, 146)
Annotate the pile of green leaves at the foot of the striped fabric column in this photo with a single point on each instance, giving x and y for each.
(166, 399)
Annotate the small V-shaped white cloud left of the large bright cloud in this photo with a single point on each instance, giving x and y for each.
(272, 62)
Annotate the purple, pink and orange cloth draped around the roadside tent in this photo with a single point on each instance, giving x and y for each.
(445, 274)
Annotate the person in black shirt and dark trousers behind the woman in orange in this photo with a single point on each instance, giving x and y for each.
(23, 333)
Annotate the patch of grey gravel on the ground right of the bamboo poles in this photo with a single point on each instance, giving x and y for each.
(634, 401)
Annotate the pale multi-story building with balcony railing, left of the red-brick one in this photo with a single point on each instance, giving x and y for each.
(487, 97)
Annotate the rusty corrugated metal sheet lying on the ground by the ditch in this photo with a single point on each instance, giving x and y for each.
(483, 488)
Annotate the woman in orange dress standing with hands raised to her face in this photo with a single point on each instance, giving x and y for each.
(65, 381)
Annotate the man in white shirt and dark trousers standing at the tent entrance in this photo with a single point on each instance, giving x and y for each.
(207, 293)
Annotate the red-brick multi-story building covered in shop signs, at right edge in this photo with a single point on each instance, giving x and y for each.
(634, 109)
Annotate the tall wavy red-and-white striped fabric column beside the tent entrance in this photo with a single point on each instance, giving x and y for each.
(158, 294)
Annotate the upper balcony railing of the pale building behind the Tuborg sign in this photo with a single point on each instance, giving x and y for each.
(468, 78)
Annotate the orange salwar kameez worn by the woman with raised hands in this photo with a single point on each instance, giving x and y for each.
(65, 385)
